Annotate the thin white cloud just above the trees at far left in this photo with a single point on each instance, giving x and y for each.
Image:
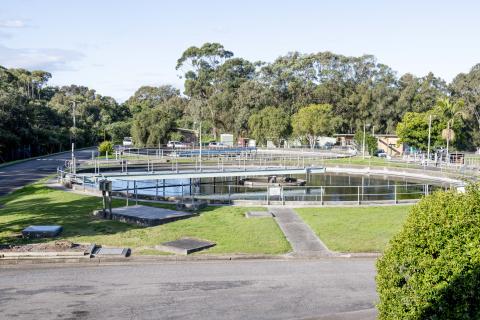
(48, 59)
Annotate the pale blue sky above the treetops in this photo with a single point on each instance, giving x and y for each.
(117, 46)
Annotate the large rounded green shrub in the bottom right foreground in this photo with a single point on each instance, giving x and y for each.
(431, 269)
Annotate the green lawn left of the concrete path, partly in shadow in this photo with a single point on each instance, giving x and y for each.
(227, 226)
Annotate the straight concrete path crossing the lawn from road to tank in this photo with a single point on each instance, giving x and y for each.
(302, 238)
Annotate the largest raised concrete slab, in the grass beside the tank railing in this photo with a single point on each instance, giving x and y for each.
(148, 216)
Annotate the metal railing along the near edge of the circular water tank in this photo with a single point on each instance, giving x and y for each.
(227, 192)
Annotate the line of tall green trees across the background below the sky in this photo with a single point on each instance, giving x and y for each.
(297, 95)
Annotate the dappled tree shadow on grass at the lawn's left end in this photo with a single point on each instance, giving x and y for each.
(38, 205)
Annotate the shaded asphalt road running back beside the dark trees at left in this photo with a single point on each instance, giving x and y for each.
(17, 175)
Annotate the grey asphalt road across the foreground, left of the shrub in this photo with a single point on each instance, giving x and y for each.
(242, 289)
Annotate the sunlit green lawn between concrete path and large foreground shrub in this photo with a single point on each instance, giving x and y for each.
(355, 229)
